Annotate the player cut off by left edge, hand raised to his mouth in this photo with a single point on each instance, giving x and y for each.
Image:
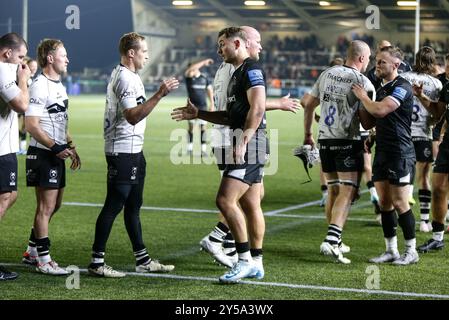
(14, 75)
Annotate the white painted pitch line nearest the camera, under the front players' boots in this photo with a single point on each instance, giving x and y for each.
(279, 284)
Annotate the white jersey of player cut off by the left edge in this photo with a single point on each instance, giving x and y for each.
(9, 128)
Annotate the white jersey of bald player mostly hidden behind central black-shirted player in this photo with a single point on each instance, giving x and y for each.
(220, 133)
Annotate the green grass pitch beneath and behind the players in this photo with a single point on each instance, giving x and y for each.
(294, 268)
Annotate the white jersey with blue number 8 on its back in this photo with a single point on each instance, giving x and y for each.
(339, 105)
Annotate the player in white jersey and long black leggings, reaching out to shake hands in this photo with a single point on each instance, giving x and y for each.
(124, 126)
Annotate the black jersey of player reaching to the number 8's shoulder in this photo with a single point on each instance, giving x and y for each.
(393, 132)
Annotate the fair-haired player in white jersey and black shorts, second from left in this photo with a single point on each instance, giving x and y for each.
(46, 120)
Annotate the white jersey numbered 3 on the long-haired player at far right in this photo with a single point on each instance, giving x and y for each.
(421, 117)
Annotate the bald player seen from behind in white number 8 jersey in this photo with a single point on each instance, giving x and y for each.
(341, 149)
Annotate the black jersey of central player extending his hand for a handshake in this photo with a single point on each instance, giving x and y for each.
(248, 75)
